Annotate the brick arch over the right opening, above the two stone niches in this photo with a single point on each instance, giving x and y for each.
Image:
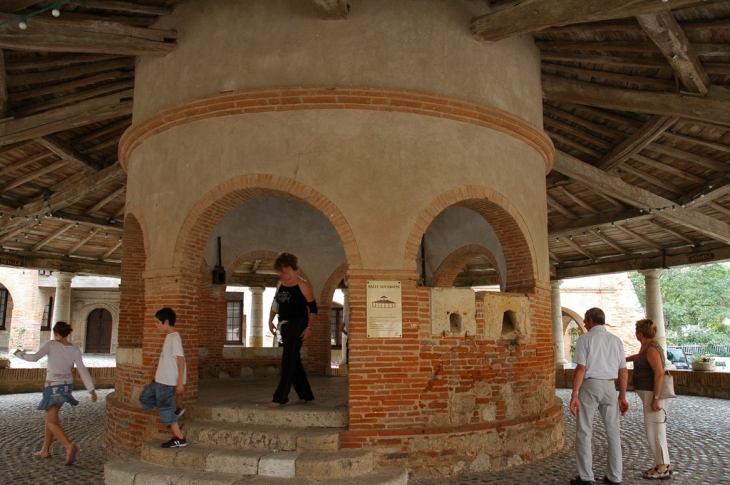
(505, 219)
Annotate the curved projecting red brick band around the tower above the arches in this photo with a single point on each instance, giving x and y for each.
(339, 97)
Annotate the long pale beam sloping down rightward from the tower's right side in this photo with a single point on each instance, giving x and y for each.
(578, 170)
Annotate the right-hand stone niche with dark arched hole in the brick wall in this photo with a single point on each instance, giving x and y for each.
(506, 315)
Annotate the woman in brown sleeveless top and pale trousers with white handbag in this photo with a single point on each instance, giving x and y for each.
(648, 380)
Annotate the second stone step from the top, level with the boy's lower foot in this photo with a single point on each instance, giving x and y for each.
(252, 436)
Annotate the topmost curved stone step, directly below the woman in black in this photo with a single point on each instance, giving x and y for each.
(309, 415)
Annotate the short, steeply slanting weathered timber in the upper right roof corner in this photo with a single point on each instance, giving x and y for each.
(666, 33)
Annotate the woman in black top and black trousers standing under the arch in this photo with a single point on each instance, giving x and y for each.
(297, 309)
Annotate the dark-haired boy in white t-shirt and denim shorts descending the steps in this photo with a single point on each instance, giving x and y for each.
(170, 378)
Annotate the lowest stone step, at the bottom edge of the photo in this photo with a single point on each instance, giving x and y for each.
(135, 472)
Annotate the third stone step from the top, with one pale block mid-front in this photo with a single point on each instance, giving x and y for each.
(285, 464)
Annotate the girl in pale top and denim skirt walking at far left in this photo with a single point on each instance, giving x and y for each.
(62, 355)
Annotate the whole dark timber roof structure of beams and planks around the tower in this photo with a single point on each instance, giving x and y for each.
(636, 99)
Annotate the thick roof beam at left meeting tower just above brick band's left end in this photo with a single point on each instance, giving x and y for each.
(68, 117)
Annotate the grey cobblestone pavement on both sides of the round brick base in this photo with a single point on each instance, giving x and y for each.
(699, 434)
